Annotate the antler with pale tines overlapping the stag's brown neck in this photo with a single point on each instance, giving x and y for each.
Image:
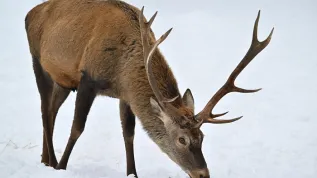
(148, 51)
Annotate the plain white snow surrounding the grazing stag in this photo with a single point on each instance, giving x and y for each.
(275, 139)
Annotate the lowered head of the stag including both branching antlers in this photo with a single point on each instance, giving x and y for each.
(184, 138)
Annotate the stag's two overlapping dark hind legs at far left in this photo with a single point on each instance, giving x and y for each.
(51, 96)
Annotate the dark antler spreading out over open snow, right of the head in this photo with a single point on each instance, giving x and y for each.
(206, 116)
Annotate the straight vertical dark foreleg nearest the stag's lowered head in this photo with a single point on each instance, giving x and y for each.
(128, 125)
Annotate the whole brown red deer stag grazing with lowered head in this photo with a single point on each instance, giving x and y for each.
(108, 48)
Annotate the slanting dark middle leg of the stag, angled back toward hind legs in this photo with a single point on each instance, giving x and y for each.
(86, 93)
